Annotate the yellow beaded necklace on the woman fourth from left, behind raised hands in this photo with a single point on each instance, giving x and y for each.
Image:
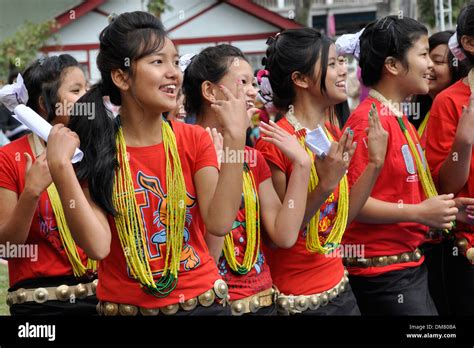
(313, 243)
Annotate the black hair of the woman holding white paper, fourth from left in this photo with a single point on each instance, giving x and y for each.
(295, 50)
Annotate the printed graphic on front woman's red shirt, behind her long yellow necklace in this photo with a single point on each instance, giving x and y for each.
(151, 200)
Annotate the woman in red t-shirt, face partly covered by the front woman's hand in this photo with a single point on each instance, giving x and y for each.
(240, 259)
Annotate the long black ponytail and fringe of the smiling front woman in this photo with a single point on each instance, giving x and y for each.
(129, 37)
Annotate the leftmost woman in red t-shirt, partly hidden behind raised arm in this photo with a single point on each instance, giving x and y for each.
(59, 279)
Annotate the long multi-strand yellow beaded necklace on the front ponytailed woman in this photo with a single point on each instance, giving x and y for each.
(129, 223)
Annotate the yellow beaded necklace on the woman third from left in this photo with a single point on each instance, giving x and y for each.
(252, 228)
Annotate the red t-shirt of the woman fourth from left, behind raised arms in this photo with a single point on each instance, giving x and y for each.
(296, 270)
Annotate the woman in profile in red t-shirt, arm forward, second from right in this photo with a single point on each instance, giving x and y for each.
(391, 279)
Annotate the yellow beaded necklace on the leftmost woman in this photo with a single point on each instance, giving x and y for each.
(64, 233)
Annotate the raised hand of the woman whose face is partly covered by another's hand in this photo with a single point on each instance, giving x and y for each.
(287, 143)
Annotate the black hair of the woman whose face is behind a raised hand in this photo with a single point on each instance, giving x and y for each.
(210, 65)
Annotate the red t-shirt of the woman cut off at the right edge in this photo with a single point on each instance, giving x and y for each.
(441, 130)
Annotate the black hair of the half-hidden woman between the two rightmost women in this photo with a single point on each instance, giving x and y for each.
(457, 70)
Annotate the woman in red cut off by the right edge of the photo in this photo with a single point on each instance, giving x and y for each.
(449, 152)
